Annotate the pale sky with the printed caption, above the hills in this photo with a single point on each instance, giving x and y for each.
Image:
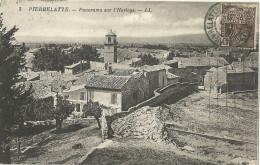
(165, 18)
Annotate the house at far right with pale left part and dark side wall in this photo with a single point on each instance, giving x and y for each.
(229, 79)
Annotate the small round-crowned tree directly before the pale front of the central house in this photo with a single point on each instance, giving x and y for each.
(93, 109)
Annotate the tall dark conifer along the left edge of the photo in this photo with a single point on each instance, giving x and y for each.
(12, 96)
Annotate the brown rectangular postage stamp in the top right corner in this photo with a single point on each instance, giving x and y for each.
(238, 25)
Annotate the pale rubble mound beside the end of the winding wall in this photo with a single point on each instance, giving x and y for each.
(144, 123)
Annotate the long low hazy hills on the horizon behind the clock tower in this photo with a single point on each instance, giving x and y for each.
(193, 38)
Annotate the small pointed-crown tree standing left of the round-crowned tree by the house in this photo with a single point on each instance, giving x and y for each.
(61, 111)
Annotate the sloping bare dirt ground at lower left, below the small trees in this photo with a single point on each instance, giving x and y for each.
(58, 148)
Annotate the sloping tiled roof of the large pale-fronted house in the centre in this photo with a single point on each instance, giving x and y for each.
(108, 82)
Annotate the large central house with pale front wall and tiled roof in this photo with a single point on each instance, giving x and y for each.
(118, 92)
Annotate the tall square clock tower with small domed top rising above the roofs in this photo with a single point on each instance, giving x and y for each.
(110, 54)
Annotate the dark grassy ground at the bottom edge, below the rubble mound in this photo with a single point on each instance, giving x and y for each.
(139, 151)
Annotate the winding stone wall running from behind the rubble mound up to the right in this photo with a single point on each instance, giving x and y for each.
(174, 91)
